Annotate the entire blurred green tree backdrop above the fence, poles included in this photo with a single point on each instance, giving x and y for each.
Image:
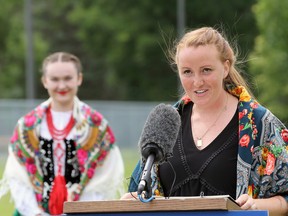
(123, 45)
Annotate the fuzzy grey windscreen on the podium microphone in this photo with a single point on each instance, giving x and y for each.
(160, 131)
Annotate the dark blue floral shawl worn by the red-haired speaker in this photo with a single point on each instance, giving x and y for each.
(262, 166)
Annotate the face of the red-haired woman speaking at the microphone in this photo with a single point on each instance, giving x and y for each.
(202, 73)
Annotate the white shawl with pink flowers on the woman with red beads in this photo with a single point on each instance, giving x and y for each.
(93, 140)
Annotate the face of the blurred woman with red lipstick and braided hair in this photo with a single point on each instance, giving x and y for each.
(61, 81)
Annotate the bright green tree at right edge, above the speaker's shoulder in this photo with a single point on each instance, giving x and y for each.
(269, 60)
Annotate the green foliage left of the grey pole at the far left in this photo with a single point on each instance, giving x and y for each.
(11, 43)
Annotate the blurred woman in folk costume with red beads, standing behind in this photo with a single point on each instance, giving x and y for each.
(63, 150)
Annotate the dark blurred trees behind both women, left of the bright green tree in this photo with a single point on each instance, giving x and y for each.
(122, 44)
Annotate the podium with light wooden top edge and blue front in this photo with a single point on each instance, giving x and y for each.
(180, 206)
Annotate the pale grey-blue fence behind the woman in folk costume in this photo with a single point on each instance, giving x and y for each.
(126, 118)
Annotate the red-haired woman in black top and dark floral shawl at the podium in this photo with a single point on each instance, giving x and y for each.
(228, 143)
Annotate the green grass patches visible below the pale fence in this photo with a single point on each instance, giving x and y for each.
(130, 157)
